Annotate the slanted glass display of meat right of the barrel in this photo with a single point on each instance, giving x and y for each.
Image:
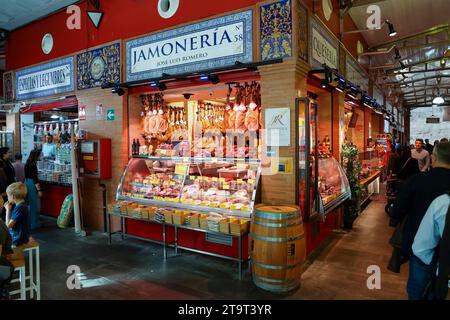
(334, 188)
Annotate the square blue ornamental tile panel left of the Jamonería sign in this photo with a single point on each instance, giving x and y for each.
(98, 66)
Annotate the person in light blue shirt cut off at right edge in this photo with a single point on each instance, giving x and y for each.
(432, 247)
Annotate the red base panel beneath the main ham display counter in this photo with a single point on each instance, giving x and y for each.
(186, 238)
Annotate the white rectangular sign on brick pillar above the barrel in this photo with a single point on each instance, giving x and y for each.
(278, 127)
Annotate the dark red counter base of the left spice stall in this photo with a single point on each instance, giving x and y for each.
(52, 198)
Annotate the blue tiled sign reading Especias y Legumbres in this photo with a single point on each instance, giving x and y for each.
(46, 79)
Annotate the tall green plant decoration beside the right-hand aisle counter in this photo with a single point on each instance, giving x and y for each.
(353, 168)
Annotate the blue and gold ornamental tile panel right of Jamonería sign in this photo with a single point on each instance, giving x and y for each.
(276, 30)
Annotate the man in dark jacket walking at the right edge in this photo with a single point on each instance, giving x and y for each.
(413, 200)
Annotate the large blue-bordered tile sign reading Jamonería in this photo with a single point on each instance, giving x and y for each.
(206, 45)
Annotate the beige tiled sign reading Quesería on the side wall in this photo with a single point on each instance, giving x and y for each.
(324, 49)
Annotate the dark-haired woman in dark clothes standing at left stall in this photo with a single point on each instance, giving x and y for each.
(34, 189)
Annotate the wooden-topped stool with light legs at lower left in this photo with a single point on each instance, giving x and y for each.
(34, 277)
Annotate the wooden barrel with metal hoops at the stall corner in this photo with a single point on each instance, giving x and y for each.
(277, 247)
